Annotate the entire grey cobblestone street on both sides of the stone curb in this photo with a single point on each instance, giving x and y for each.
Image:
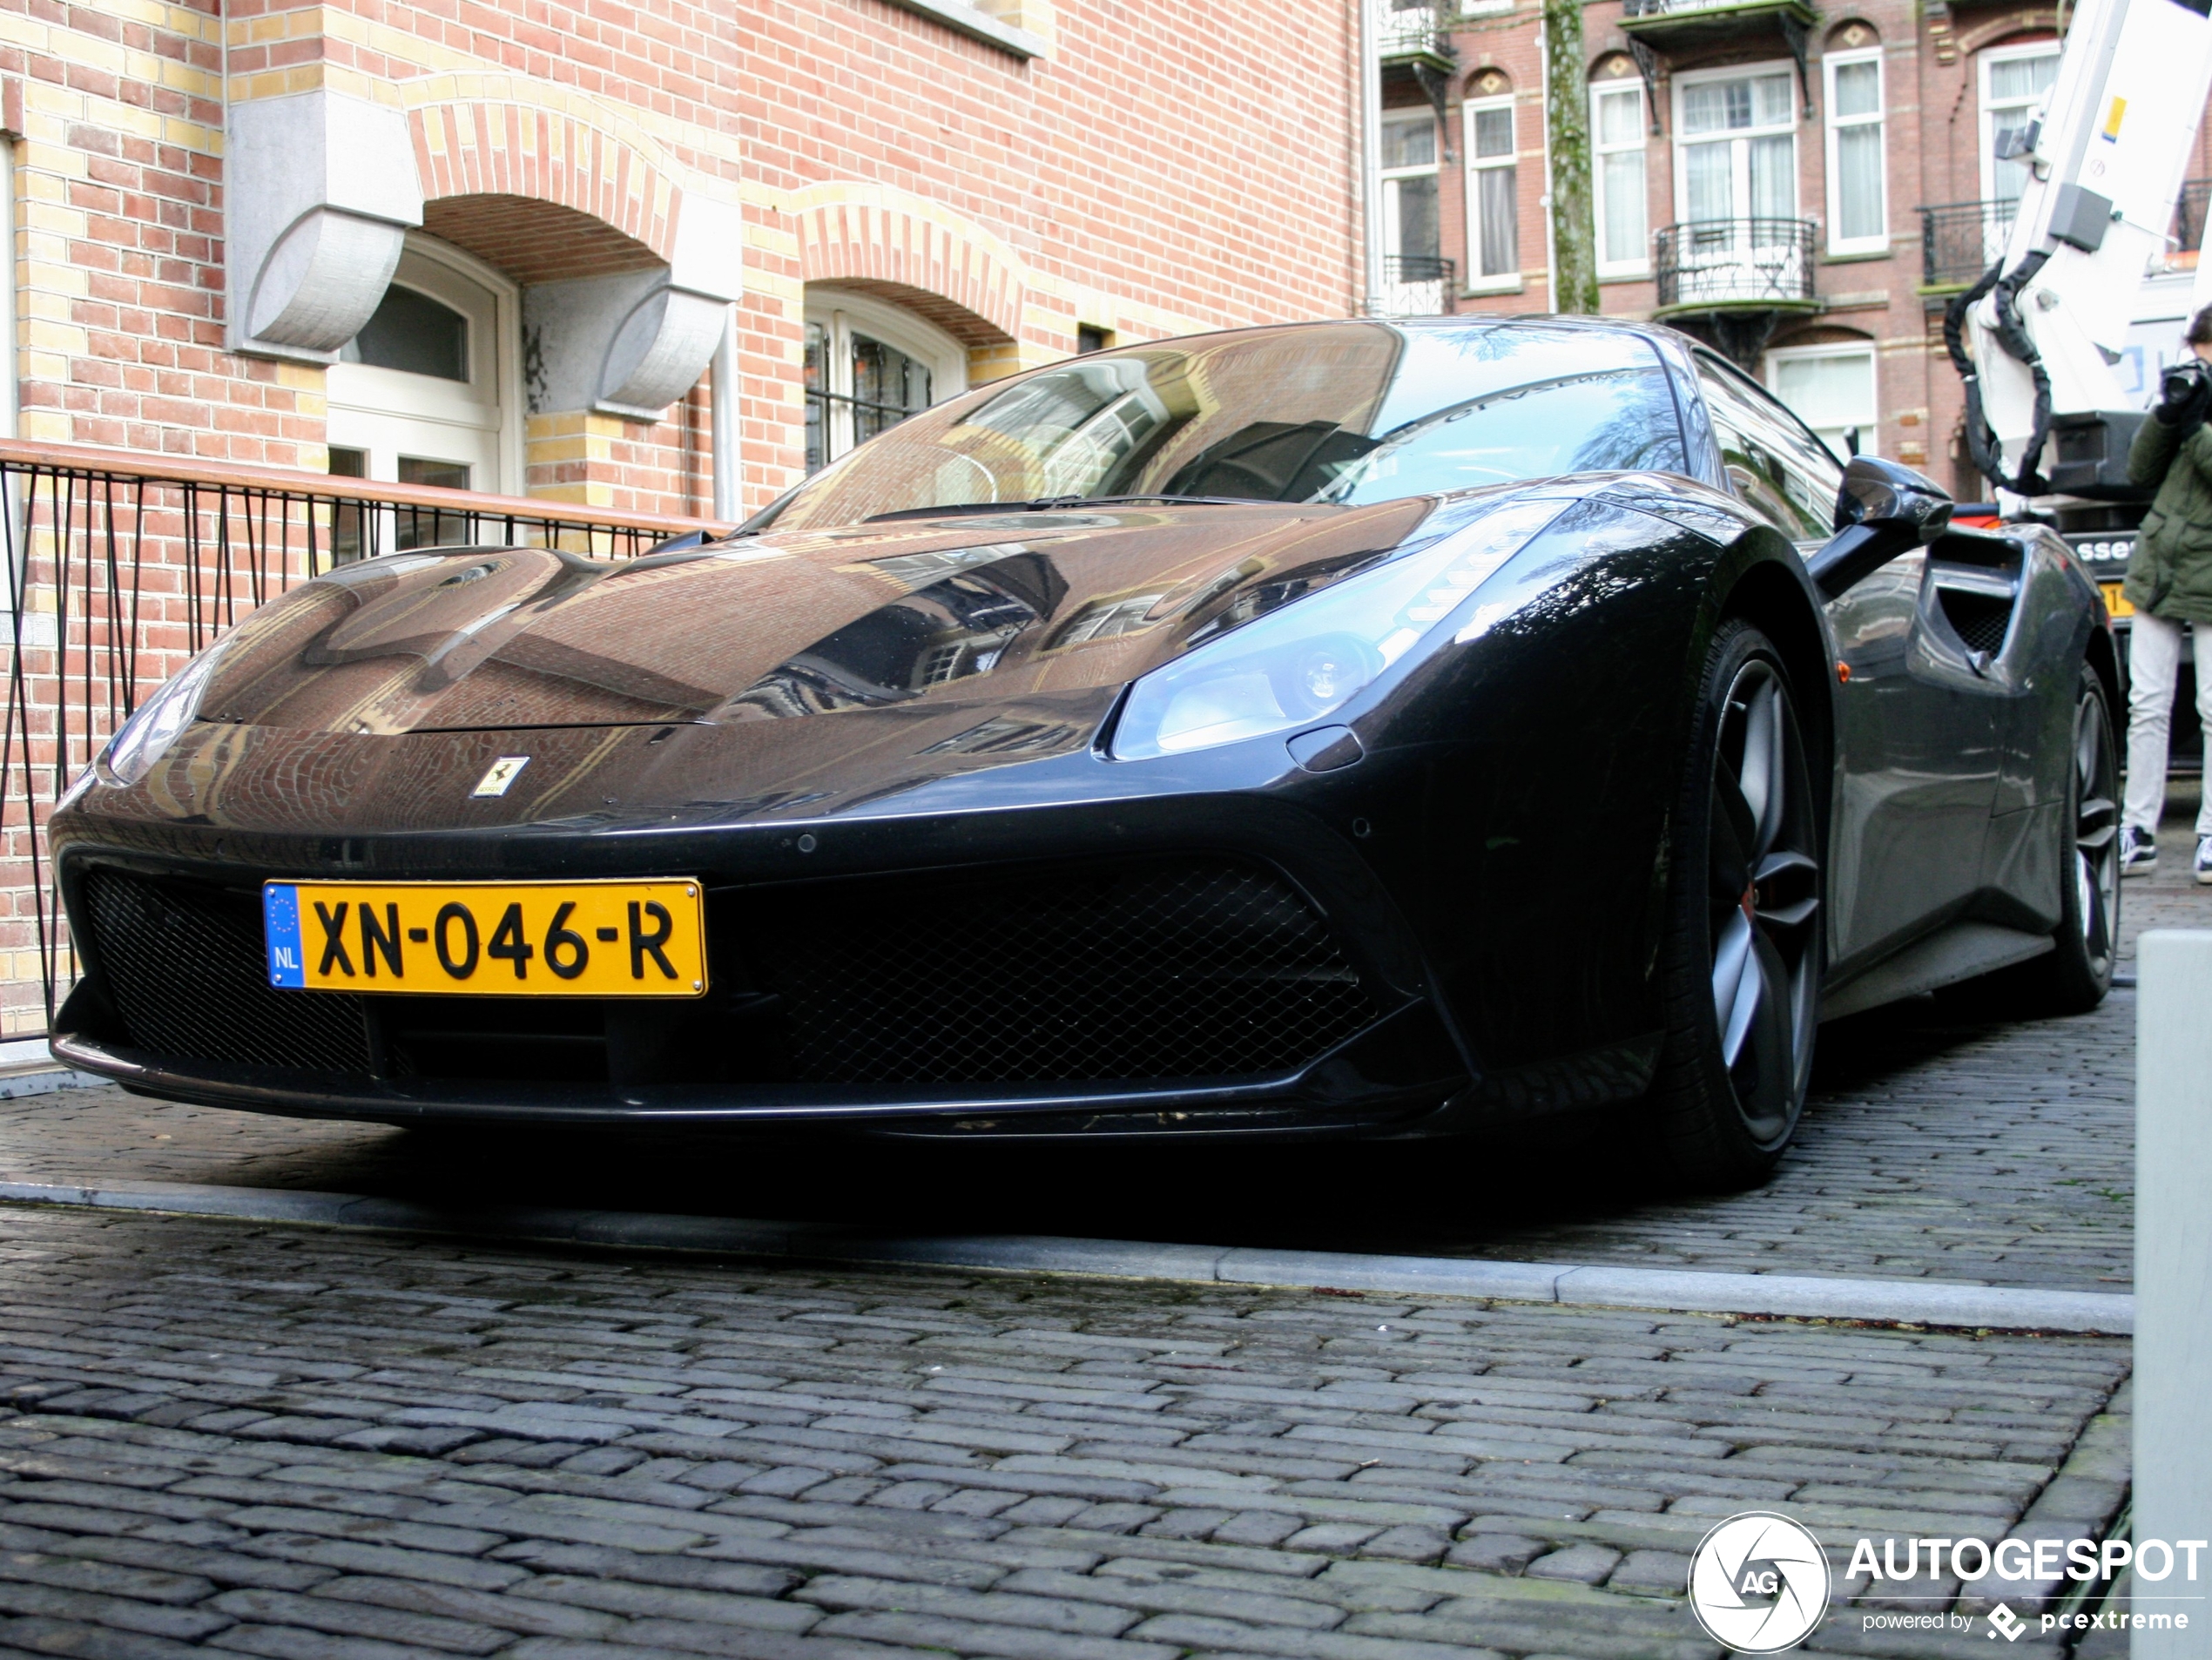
(306, 1442)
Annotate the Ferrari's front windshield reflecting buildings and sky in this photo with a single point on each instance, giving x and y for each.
(1328, 413)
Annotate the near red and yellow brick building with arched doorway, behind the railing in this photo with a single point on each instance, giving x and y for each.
(497, 247)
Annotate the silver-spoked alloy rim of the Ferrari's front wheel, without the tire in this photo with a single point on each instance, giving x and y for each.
(1764, 904)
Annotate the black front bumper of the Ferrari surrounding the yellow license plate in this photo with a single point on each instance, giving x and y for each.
(921, 973)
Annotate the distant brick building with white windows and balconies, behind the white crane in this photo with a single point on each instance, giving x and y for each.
(1802, 187)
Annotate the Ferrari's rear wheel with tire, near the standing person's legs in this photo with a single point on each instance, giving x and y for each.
(2078, 975)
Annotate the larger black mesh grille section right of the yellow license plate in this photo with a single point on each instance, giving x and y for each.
(1173, 968)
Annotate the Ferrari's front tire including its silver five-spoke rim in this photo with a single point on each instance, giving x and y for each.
(1742, 953)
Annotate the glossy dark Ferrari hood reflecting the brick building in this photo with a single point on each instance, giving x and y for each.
(1010, 605)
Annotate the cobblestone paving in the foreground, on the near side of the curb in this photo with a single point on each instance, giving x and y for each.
(311, 1444)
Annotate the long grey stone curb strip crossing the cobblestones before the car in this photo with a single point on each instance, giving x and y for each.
(1914, 1303)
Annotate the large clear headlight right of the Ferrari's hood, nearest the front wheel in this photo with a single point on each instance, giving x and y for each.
(1313, 656)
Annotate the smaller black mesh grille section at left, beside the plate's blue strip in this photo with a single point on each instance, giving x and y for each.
(185, 971)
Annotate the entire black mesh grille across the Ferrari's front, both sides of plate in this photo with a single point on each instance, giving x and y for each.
(1145, 971)
